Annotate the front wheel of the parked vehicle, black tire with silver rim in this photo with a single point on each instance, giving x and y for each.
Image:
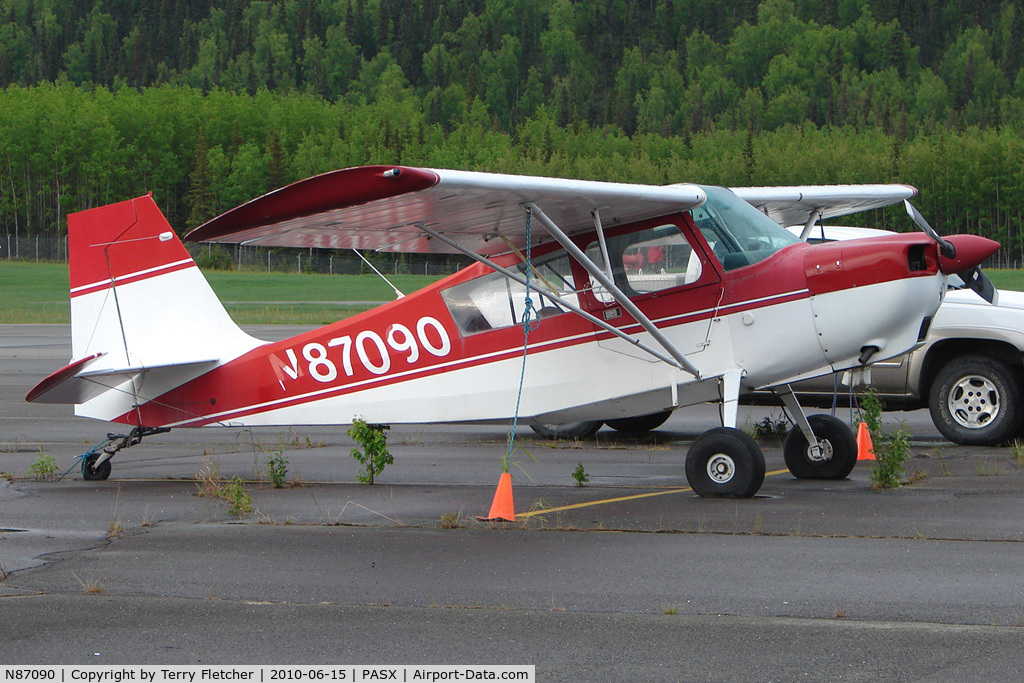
(976, 401)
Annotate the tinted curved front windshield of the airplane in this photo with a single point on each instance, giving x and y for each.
(739, 234)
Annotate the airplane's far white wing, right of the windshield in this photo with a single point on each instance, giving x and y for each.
(797, 205)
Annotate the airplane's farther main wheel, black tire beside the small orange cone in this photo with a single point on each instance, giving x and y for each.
(838, 444)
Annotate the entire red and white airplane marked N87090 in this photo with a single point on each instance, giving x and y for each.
(639, 300)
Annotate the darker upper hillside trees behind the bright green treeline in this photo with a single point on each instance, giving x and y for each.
(654, 66)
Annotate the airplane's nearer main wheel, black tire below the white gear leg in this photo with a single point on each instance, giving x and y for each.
(726, 463)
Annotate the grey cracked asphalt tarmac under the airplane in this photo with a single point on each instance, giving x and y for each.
(630, 577)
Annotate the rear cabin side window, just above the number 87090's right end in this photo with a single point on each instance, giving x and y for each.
(494, 302)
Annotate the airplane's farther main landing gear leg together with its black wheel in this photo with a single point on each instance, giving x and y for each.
(821, 447)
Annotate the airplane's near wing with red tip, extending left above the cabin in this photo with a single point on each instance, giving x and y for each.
(382, 207)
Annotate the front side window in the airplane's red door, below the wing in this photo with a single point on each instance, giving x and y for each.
(650, 261)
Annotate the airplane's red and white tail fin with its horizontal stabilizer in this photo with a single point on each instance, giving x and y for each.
(144, 319)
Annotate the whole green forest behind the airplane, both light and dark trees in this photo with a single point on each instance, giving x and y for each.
(210, 103)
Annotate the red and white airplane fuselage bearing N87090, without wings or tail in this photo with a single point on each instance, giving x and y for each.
(802, 312)
